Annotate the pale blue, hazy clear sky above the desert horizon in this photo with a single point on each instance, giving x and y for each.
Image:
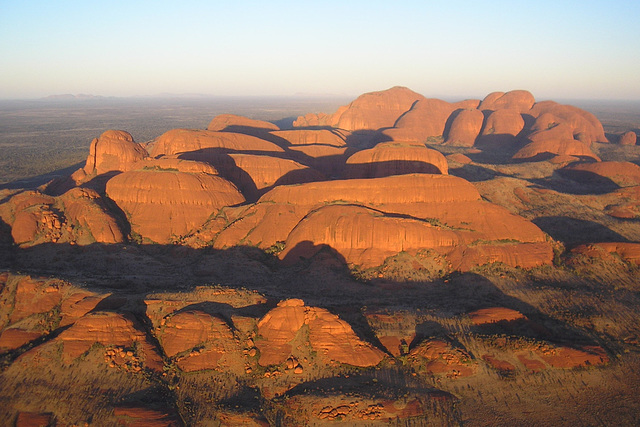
(449, 49)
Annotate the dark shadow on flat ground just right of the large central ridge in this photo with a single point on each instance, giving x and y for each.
(573, 231)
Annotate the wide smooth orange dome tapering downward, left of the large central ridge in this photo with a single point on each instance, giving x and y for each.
(163, 205)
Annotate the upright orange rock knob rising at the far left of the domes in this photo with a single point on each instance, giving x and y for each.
(114, 150)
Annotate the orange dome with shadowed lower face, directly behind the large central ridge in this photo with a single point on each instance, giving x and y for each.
(392, 158)
